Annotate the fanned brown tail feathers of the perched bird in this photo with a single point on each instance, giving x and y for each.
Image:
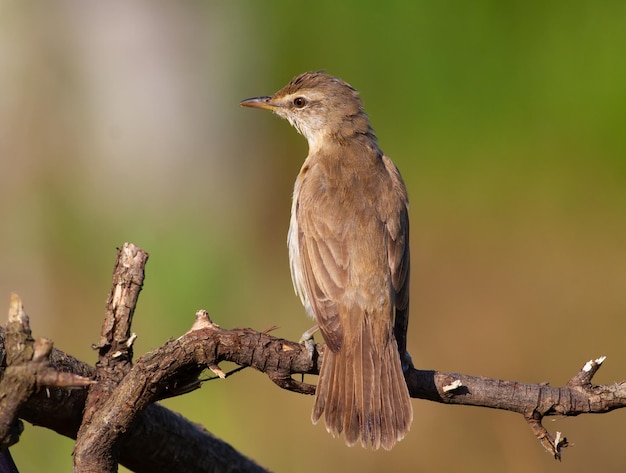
(362, 391)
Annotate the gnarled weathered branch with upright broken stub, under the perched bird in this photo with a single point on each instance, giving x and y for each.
(124, 421)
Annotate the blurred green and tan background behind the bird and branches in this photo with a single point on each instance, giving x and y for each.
(119, 121)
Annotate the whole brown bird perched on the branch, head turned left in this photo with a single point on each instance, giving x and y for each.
(349, 253)
